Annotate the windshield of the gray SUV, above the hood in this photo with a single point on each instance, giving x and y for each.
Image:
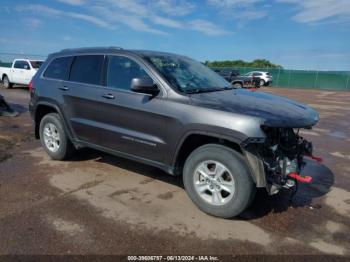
(187, 75)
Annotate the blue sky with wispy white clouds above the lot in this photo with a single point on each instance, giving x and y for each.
(297, 34)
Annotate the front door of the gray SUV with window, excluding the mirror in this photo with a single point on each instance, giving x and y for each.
(134, 121)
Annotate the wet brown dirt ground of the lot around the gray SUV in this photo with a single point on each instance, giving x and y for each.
(100, 204)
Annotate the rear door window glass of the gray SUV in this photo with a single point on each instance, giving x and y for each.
(87, 69)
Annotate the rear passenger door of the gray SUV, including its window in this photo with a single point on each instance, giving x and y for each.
(82, 97)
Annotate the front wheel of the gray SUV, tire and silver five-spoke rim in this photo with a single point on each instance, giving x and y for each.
(240, 183)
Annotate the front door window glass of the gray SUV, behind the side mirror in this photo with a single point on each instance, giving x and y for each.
(121, 70)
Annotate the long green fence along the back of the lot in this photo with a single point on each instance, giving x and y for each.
(332, 80)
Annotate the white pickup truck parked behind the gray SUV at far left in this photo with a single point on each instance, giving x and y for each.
(21, 72)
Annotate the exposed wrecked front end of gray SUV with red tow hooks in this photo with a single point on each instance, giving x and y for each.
(278, 159)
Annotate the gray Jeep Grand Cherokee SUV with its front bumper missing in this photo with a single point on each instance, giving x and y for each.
(173, 113)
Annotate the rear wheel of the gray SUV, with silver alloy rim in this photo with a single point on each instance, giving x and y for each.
(55, 140)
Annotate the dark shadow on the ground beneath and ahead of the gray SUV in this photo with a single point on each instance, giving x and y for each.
(263, 204)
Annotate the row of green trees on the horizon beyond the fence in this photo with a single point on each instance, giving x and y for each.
(259, 63)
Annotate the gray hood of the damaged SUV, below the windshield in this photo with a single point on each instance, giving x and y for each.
(274, 111)
